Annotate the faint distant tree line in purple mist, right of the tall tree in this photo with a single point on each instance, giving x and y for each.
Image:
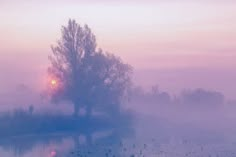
(195, 97)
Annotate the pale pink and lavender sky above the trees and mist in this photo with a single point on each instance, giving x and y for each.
(176, 44)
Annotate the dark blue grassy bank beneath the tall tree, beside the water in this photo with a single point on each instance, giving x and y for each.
(24, 123)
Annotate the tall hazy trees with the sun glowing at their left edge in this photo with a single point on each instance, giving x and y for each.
(84, 75)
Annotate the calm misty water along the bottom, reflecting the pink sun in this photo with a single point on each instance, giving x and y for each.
(113, 143)
